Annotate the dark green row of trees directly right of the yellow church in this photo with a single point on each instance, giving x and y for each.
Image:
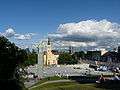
(74, 58)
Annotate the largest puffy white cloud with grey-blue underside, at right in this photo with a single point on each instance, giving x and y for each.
(88, 33)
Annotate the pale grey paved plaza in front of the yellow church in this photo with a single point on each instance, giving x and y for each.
(66, 70)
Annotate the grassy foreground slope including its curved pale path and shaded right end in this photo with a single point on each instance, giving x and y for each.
(56, 83)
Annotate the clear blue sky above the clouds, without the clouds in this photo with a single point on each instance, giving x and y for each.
(44, 16)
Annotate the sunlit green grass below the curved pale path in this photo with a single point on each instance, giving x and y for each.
(67, 86)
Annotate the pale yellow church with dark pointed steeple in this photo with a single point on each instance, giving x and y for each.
(50, 56)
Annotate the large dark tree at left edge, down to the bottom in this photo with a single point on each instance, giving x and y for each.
(10, 57)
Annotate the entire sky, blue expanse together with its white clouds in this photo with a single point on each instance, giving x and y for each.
(28, 21)
